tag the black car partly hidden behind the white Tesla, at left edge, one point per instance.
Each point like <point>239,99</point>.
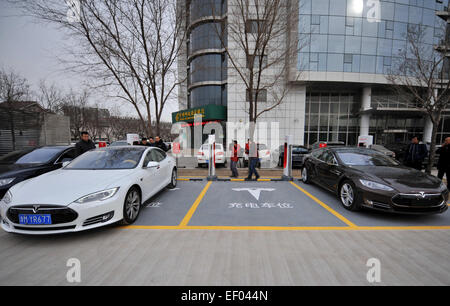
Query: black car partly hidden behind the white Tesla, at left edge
<point>18,166</point>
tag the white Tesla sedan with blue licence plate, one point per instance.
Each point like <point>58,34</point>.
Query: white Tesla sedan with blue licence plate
<point>100,187</point>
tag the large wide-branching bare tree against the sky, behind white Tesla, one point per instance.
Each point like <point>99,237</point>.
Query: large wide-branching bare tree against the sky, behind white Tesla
<point>128,47</point>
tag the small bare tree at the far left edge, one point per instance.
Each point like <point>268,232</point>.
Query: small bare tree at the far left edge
<point>13,88</point>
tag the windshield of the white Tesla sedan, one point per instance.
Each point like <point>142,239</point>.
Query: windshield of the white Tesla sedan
<point>107,159</point>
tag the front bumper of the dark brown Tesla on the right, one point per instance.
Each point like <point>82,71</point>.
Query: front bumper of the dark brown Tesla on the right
<point>385,201</point>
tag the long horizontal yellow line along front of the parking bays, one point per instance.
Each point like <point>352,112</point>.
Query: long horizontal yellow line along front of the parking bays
<point>280,228</point>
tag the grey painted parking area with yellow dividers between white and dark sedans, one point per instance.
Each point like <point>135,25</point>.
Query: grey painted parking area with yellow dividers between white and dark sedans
<point>267,206</point>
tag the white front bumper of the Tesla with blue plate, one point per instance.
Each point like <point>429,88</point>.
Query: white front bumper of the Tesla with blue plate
<point>88,216</point>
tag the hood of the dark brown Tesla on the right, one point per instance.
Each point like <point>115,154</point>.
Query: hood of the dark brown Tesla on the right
<point>402,179</point>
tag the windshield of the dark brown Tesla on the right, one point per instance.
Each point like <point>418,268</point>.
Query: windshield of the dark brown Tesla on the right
<point>366,159</point>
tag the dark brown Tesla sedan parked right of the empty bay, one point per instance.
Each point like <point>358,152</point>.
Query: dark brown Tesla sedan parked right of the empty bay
<point>367,178</point>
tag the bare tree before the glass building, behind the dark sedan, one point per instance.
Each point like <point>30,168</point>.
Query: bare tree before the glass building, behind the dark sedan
<point>419,77</point>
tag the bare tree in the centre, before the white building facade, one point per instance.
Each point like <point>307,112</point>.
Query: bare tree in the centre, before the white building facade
<point>260,47</point>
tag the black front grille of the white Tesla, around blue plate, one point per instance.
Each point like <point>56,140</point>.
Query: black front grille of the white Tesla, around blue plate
<point>60,214</point>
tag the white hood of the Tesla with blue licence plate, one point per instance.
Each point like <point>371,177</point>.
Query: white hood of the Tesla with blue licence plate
<point>63,187</point>
